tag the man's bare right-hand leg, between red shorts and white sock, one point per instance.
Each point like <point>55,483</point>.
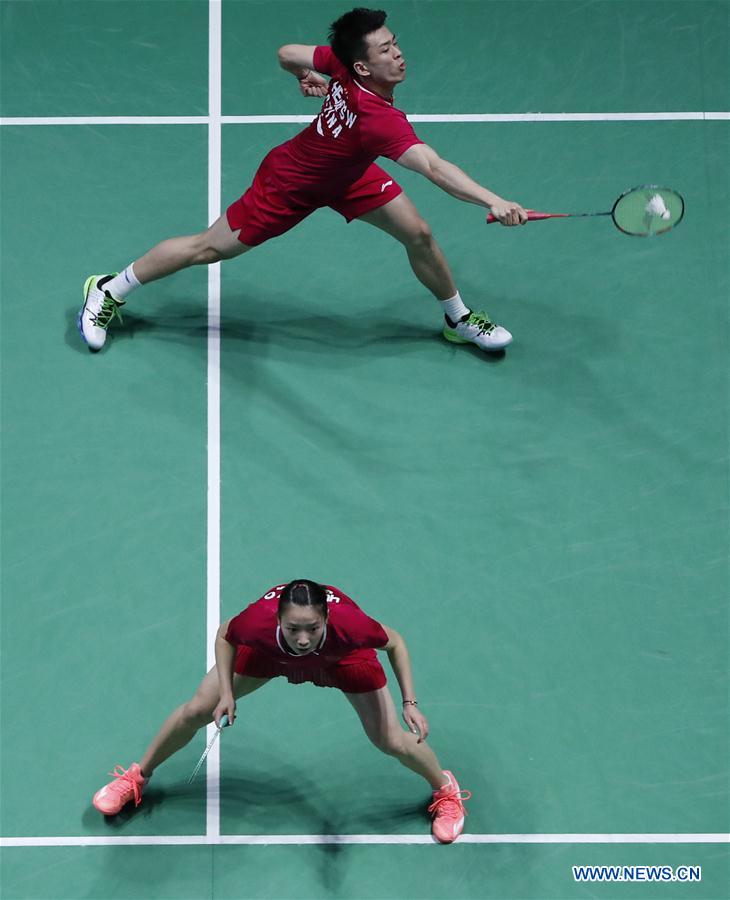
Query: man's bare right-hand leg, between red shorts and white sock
<point>401,220</point>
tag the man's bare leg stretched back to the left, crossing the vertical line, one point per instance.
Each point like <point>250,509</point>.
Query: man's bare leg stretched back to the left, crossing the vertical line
<point>216,243</point>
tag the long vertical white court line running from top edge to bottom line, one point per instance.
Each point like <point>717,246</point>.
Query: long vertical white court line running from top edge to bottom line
<point>212,787</point>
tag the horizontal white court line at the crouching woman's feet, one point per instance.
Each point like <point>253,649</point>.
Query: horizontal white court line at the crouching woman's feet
<point>309,839</point>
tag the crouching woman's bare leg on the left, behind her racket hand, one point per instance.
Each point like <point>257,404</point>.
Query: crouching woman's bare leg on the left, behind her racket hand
<point>181,726</point>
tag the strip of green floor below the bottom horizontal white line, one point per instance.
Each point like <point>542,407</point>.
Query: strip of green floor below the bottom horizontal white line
<point>467,872</point>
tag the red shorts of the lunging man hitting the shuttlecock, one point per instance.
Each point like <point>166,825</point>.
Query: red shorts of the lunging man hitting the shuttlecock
<point>262,212</point>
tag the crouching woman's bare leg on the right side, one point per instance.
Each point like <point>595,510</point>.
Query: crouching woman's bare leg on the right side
<point>380,721</point>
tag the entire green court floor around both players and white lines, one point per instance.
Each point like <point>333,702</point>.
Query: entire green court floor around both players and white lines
<point>548,529</point>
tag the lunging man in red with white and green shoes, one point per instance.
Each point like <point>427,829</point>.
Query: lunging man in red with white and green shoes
<point>330,163</point>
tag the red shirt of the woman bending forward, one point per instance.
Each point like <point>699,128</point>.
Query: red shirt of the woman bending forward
<point>347,629</point>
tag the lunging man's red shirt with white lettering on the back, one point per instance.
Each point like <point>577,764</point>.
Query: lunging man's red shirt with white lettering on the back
<point>354,127</point>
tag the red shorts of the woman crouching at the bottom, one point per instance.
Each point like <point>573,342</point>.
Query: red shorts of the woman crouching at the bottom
<point>357,673</point>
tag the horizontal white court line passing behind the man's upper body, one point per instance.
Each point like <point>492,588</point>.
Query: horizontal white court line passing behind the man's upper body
<point>418,117</point>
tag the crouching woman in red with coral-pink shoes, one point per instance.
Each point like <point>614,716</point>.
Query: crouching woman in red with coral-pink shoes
<point>306,632</point>
